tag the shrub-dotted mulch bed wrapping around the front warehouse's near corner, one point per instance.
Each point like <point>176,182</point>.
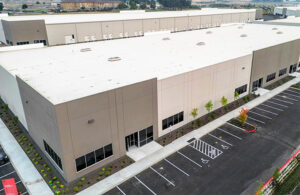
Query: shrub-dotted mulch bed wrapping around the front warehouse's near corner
<point>57,185</point>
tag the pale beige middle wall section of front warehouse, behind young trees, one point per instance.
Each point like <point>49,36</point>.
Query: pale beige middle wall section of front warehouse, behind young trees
<point>194,89</point>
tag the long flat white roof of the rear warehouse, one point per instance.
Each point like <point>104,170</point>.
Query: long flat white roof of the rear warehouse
<point>76,18</point>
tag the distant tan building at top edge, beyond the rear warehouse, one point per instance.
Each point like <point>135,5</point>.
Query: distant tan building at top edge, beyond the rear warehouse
<point>89,4</point>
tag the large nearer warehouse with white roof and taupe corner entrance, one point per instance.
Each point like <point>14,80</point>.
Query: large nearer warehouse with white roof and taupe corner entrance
<point>93,102</point>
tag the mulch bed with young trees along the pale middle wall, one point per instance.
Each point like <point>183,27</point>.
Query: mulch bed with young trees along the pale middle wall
<point>170,137</point>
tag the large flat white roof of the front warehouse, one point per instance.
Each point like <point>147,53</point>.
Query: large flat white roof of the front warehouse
<point>64,73</point>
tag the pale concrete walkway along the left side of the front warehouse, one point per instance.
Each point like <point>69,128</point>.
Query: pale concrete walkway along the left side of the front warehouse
<point>27,172</point>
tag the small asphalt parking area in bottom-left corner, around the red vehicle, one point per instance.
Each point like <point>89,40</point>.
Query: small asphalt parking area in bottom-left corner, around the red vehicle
<point>6,172</point>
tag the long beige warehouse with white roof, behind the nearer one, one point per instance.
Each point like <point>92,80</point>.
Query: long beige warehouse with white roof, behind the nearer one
<point>67,29</point>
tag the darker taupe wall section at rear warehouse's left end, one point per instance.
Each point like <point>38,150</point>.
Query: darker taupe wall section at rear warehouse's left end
<point>21,31</point>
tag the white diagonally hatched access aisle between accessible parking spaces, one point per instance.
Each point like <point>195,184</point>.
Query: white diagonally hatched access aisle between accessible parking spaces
<point>206,149</point>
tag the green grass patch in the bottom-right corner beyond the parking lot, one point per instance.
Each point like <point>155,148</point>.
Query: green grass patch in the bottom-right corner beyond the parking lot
<point>290,183</point>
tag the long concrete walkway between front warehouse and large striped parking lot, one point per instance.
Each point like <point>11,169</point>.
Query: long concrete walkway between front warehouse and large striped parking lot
<point>144,163</point>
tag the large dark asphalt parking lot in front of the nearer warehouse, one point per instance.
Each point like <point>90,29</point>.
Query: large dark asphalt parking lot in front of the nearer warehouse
<point>228,160</point>
